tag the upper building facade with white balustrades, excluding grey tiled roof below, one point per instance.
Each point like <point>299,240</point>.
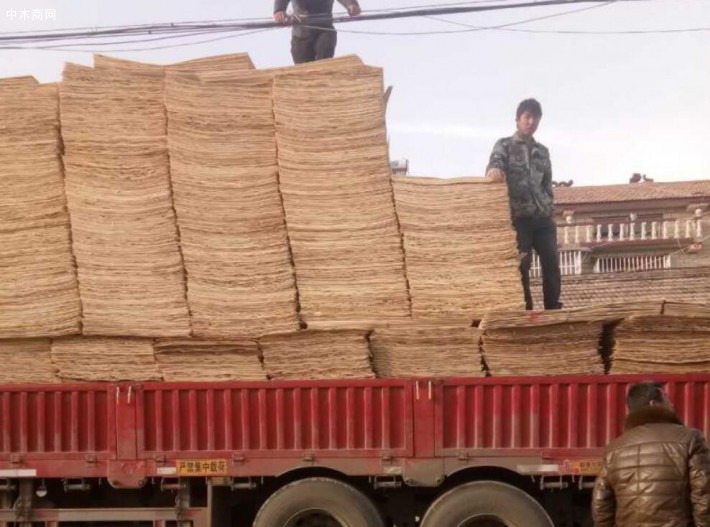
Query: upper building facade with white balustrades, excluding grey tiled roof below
<point>641,226</point>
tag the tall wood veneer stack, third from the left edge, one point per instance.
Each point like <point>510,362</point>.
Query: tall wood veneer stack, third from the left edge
<point>240,279</point>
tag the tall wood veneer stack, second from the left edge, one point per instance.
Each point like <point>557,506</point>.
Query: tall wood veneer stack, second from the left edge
<point>131,275</point>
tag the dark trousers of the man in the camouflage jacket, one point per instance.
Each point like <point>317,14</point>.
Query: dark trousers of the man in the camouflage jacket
<point>540,234</point>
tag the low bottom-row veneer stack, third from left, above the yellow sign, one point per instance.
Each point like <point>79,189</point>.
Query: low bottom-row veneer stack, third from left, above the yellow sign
<point>195,360</point>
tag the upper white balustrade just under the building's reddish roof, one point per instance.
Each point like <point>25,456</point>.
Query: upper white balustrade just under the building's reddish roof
<point>622,232</point>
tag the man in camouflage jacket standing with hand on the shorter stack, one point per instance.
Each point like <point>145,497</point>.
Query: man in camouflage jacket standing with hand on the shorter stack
<point>525,166</point>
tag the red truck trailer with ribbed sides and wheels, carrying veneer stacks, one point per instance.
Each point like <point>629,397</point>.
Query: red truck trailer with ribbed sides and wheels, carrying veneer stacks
<point>431,452</point>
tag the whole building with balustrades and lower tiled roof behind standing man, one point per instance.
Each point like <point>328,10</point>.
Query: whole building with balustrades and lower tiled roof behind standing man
<point>638,241</point>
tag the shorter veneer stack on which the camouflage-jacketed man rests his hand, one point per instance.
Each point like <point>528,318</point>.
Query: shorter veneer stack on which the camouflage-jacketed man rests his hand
<point>459,245</point>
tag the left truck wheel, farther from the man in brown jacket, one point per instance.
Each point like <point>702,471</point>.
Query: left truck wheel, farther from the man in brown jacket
<point>318,502</point>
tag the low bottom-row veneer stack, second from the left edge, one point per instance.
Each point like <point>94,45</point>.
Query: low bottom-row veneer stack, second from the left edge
<point>104,359</point>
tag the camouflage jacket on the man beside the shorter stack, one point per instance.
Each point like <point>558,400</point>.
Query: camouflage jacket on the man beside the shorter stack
<point>528,173</point>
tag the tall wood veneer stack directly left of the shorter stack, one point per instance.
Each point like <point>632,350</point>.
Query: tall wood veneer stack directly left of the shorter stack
<point>337,194</point>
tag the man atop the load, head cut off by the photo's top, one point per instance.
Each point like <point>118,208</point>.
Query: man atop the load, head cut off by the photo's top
<point>314,37</point>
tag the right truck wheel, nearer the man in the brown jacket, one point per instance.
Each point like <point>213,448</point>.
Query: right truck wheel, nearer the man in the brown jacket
<point>486,504</point>
